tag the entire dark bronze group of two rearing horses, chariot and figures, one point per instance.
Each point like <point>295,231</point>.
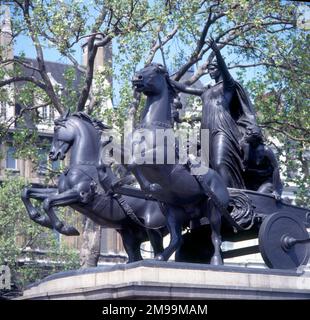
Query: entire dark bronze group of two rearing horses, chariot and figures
<point>170,196</point>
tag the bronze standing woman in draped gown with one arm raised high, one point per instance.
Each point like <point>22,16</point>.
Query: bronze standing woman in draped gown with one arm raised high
<point>227,111</point>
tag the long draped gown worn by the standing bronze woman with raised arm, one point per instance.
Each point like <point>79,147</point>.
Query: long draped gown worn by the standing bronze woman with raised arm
<point>219,116</point>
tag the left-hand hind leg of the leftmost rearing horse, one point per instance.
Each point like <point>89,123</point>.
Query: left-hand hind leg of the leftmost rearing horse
<point>131,244</point>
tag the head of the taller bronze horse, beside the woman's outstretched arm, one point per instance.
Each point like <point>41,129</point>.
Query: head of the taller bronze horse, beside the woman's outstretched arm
<point>151,79</point>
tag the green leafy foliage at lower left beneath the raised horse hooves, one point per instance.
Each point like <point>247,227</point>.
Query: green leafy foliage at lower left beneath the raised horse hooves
<point>22,240</point>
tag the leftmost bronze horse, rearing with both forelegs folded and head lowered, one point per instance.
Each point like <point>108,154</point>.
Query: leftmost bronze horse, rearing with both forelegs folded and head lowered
<point>83,186</point>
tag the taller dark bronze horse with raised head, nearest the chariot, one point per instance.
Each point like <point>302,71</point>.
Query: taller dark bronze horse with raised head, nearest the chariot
<point>173,184</point>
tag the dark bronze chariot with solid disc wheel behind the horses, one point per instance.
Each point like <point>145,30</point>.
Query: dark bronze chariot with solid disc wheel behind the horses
<point>281,229</point>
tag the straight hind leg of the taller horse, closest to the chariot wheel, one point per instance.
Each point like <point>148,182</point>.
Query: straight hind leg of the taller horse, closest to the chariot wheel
<point>214,217</point>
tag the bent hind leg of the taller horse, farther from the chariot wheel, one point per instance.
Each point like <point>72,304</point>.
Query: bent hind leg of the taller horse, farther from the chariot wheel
<point>174,218</point>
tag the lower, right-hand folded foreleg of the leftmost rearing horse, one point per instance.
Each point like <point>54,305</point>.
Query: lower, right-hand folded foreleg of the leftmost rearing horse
<point>62,199</point>
